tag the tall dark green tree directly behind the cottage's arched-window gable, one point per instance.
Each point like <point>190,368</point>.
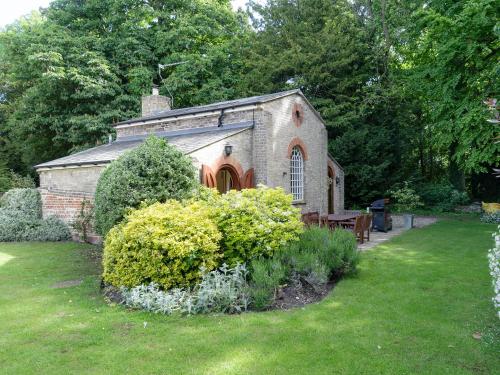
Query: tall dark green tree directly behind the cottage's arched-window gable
<point>331,51</point>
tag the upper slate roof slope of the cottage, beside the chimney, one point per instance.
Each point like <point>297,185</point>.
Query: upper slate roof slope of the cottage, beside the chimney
<point>213,107</point>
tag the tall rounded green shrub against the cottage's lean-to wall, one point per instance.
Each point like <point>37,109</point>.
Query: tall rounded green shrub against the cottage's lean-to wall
<point>153,172</point>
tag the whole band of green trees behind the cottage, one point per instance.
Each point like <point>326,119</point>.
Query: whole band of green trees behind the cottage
<point>400,84</point>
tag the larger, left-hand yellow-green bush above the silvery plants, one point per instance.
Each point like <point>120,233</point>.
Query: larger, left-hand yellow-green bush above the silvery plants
<point>166,243</point>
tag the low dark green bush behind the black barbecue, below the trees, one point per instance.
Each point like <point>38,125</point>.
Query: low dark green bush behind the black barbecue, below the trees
<point>441,196</point>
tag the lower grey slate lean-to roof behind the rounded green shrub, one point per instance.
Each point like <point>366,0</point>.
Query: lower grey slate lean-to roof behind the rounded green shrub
<point>187,141</point>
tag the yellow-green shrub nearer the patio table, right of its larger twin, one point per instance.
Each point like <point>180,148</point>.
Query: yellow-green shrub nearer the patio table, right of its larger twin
<point>254,222</point>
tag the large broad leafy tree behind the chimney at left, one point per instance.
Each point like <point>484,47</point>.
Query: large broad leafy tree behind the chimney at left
<point>73,71</point>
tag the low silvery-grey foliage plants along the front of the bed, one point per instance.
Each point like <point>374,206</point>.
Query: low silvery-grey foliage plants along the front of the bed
<point>224,290</point>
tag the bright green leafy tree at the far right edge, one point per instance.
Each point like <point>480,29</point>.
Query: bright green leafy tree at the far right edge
<point>454,67</point>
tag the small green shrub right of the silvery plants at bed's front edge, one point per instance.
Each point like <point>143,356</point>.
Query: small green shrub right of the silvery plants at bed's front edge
<point>266,277</point>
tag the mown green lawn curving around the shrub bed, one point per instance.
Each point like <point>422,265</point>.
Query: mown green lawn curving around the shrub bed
<point>411,310</point>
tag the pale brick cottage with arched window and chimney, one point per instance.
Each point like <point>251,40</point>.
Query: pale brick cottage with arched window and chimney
<point>276,140</point>
